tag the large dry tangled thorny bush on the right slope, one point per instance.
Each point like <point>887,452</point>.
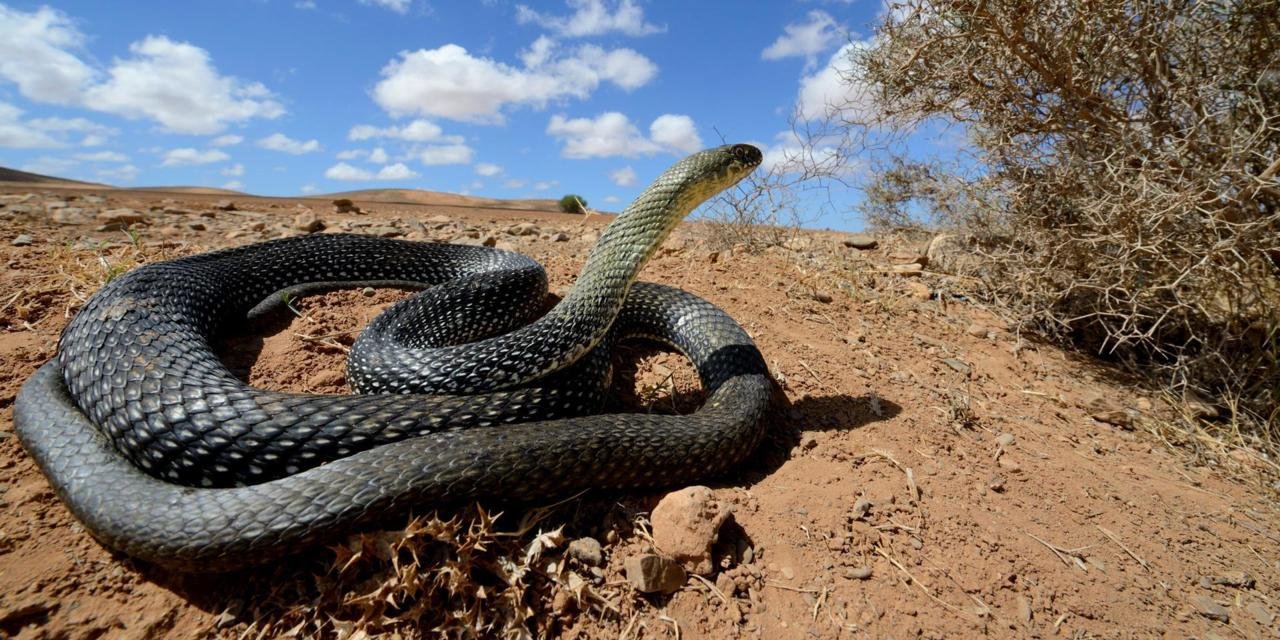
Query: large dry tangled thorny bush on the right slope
<point>1123,180</point>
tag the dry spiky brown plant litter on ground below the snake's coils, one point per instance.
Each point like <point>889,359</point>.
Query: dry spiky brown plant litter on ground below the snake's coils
<point>464,577</point>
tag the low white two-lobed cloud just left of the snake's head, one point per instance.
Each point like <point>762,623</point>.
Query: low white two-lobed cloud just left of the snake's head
<point>612,135</point>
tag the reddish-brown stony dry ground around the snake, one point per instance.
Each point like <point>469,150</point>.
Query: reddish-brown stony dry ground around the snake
<point>938,476</point>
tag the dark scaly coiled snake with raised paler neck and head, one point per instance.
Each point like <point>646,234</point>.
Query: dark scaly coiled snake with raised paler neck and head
<point>463,391</point>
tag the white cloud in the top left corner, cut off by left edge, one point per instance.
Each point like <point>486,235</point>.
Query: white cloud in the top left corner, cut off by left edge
<point>34,56</point>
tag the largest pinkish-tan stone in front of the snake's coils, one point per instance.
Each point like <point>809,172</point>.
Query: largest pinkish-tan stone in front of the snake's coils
<point>687,524</point>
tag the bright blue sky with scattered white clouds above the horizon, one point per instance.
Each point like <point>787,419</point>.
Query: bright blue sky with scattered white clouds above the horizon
<point>499,99</point>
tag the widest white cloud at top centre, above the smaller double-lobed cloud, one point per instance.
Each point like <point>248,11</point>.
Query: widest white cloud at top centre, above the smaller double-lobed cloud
<point>450,83</point>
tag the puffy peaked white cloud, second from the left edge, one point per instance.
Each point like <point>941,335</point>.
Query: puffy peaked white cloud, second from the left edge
<point>177,85</point>
